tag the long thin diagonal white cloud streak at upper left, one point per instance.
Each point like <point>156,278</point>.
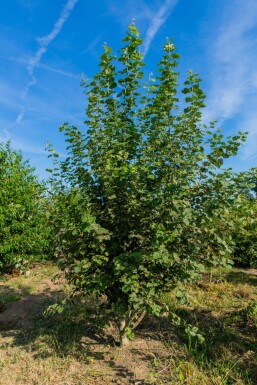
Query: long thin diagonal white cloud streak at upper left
<point>43,46</point>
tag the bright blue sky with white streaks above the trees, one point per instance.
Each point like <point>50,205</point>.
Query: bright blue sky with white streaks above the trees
<point>46,46</point>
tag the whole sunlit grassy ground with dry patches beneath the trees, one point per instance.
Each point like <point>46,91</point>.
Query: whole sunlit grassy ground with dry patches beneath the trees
<point>69,348</point>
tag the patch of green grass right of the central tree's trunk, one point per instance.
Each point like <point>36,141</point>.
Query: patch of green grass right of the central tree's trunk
<point>224,311</point>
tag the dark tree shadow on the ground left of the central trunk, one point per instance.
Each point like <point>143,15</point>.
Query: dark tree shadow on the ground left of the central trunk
<point>65,328</point>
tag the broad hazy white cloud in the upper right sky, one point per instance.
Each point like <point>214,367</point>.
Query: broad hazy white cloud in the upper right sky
<point>233,55</point>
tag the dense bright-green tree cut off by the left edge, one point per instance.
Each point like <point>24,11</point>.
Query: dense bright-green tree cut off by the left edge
<point>23,229</point>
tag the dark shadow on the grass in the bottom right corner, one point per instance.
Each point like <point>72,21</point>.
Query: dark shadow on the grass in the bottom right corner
<point>230,339</point>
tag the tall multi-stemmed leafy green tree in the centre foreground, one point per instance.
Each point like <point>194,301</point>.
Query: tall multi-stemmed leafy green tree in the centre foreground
<point>142,187</point>
